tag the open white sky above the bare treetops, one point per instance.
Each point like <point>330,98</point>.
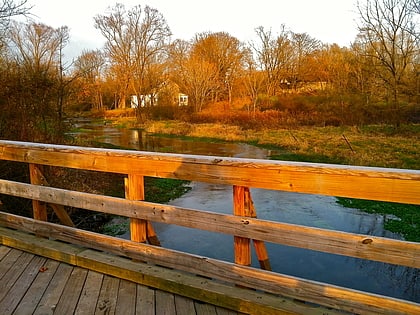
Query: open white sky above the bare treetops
<point>330,21</point>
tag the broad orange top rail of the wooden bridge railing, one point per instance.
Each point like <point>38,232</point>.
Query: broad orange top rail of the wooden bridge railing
<point>336,180</point>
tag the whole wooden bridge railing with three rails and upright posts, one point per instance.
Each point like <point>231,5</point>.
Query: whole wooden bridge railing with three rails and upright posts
<point>393,185</point>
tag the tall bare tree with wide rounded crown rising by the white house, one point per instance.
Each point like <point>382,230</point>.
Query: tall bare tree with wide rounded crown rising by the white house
<point>134,39</point>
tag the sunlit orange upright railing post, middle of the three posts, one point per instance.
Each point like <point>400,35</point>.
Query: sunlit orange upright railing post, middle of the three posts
<point>134,190</point>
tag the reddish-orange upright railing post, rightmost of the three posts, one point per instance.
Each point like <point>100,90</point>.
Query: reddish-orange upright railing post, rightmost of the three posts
<point>242,246</point>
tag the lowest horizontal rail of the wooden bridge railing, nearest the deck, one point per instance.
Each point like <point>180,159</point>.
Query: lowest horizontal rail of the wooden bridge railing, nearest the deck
<point>328,295</point>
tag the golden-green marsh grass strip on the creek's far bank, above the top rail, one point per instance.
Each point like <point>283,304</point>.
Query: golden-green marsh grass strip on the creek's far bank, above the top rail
<point>379,146</point>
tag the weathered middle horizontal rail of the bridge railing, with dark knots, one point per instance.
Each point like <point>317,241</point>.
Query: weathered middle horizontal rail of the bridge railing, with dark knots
<point>336,242</point>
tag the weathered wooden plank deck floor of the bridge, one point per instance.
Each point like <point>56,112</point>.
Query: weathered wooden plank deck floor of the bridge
<point>31,284</point>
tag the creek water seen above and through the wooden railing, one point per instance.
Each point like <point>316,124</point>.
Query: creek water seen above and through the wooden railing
<point>303,209</point>
